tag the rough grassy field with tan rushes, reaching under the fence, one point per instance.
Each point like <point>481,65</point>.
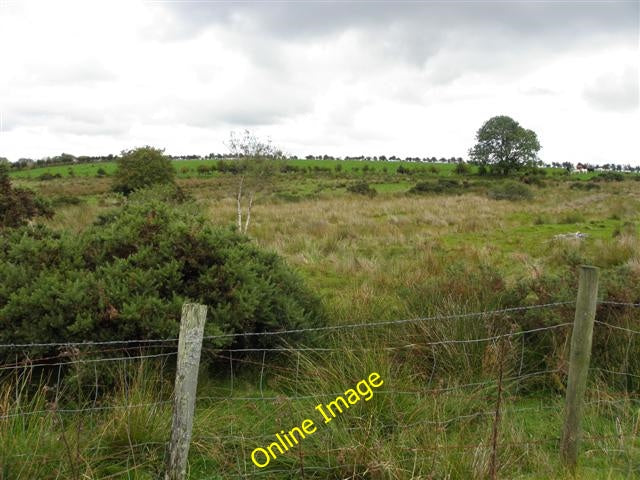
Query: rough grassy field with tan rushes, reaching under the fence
<point>374,259</point>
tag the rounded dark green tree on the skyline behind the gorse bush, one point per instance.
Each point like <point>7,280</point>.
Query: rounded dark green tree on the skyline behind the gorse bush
<point>142,167</point>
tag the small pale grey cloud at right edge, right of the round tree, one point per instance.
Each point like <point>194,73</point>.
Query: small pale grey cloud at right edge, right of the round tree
<point>616,93</point>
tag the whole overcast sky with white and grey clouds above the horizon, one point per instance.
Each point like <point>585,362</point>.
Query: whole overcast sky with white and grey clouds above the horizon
<point>406,78</point>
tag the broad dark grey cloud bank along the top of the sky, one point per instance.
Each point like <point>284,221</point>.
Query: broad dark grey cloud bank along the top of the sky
<point>495,35</point>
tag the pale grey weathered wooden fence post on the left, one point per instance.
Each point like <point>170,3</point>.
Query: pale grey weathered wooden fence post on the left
<point>189,347</point>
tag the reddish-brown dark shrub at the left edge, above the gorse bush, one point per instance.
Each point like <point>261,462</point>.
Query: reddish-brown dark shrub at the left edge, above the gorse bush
<point>18,205</point>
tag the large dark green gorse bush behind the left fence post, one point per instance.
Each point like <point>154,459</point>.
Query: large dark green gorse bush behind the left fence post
<point>127,276</point>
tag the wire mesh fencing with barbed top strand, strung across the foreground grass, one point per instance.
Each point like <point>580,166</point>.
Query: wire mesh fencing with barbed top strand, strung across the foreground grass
<point>462,393</point>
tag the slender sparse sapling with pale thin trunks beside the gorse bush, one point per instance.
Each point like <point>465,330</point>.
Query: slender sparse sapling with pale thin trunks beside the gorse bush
<point>259,161</point>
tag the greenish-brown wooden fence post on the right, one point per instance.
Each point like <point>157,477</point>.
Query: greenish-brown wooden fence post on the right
<point>579,363</point>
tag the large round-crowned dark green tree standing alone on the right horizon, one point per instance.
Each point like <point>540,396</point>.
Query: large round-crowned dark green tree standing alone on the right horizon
<point>504,145</point>
